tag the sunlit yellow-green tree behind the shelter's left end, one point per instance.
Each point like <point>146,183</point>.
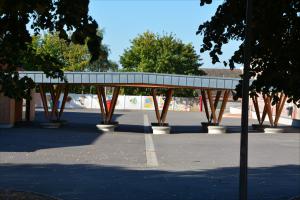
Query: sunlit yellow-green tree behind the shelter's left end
<point>73,57</point>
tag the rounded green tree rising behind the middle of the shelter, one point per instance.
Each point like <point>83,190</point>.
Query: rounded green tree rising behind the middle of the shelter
<point>151,52</point>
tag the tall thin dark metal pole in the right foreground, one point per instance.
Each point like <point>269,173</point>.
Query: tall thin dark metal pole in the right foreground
<point>243,192</point>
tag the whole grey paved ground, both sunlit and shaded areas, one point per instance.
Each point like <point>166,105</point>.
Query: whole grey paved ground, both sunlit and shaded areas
<point>78,162</point>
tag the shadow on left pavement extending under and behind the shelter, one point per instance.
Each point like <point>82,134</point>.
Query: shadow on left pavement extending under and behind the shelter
<point>80,129</point>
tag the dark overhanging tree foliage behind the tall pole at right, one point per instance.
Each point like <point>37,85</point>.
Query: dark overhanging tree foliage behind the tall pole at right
<point>275,61</point>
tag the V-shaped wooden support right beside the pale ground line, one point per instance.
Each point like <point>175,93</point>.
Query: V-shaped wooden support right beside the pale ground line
<point>161,118</point>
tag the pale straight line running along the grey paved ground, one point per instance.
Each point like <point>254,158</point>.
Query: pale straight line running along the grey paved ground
<point>149,145</point>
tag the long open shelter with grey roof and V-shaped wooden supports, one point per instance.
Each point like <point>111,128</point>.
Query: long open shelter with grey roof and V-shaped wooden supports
<point>207,85</point>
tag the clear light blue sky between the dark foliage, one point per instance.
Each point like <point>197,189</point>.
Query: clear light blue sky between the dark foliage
<point>123,20</point>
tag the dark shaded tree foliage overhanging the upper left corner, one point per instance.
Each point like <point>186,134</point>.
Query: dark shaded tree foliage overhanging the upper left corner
<point>57,15</point>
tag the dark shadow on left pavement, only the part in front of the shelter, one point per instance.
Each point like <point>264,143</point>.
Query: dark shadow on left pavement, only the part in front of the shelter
<point>33,139</point>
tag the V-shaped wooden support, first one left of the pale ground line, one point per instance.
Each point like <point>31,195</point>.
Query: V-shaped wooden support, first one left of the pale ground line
<point>106,112</point>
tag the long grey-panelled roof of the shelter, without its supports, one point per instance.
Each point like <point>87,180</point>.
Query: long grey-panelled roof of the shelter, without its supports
<point>134,79</point>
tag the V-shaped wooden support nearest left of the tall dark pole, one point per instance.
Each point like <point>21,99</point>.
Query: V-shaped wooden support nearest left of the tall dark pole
<point>211,114</point>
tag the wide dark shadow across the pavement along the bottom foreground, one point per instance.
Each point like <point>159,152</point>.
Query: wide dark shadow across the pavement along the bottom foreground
<point>107,182</point>
